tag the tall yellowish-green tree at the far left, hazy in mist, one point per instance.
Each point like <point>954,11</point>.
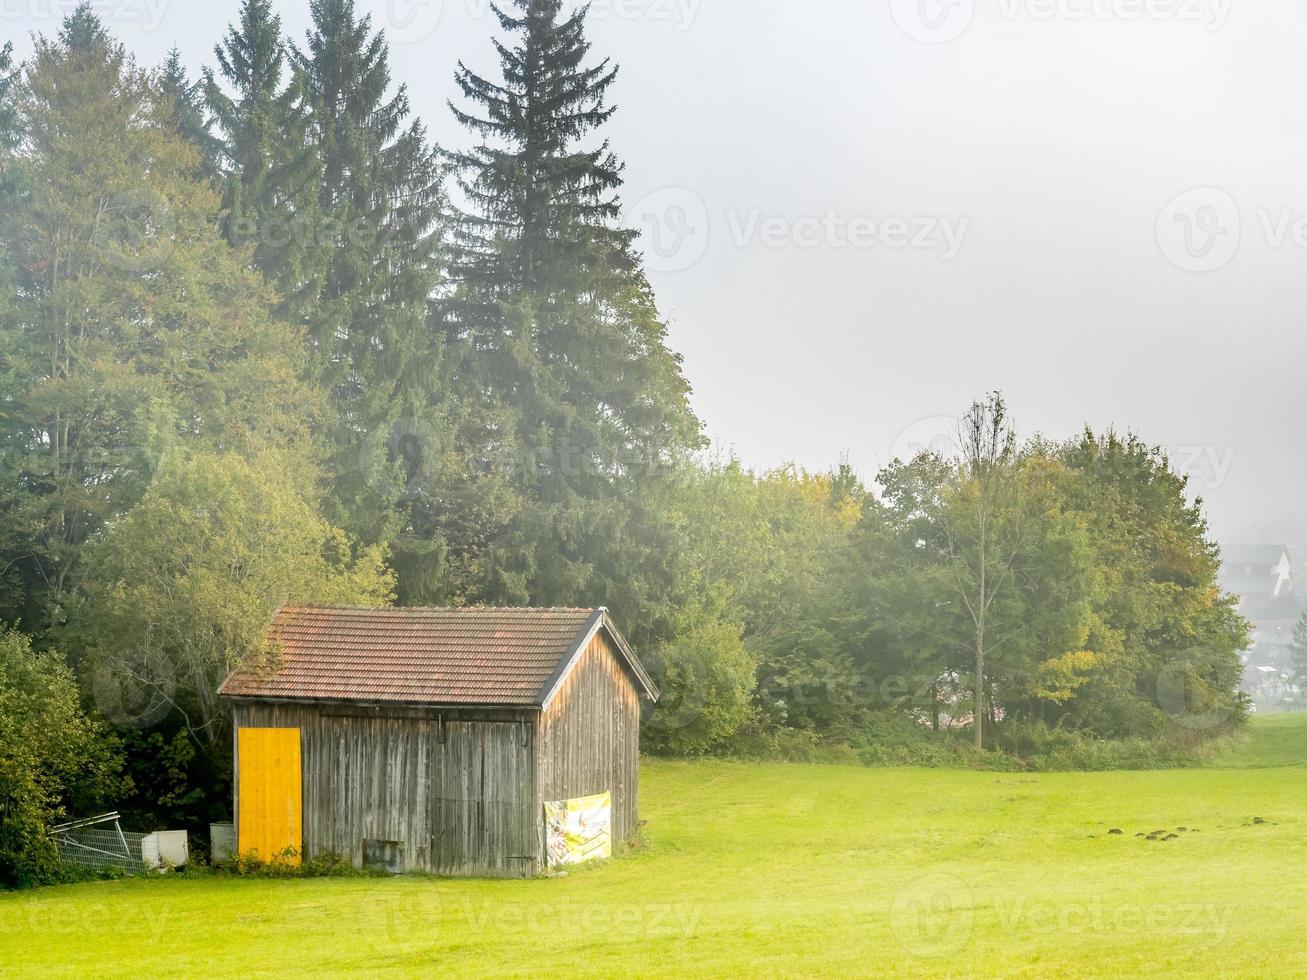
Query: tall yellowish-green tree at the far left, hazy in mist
<point>134,325</point>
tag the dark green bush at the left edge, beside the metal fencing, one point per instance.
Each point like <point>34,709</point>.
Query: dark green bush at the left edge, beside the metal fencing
<point>53,759</point>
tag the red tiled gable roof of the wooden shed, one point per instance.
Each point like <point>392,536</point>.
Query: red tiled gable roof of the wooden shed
<point>423,657</point>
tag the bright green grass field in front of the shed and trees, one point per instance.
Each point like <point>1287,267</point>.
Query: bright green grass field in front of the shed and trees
<point>782,871</point>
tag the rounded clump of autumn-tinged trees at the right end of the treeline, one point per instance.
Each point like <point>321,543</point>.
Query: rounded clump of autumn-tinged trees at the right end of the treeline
<point>1089,586</point>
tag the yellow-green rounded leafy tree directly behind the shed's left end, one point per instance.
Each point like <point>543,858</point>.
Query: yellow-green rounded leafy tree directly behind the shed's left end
<point>184,589</point>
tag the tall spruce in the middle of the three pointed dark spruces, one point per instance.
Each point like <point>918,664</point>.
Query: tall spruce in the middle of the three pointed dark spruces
<point>381,194</point>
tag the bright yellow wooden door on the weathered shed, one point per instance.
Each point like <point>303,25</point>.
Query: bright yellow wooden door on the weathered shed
<point>270,823</point>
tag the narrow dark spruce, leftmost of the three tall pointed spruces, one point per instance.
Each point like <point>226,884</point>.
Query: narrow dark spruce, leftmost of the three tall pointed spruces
<point>271,174</point>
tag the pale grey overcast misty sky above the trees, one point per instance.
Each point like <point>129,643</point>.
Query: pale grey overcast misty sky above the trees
<point>861,216</point>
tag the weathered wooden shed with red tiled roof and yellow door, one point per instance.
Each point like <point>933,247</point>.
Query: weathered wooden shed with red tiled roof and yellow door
<point>450,742</point>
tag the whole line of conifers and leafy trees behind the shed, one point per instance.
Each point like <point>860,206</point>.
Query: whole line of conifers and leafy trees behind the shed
<point>265,340</point>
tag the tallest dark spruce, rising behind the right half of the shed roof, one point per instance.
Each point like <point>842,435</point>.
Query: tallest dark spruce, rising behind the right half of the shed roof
<point>555,326</point>
